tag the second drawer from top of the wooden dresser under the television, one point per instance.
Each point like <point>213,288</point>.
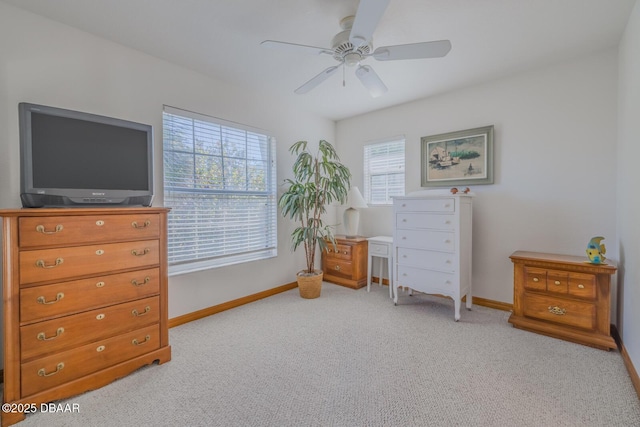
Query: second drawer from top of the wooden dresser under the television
<point>62,263</point>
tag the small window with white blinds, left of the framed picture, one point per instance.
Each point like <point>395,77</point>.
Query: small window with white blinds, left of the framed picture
<point>384,171</point>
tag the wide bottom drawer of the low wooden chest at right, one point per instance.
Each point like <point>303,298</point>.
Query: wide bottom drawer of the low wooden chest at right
<point>559,310</point>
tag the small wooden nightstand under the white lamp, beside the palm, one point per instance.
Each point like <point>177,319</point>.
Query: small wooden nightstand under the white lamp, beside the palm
<point>347,264</point>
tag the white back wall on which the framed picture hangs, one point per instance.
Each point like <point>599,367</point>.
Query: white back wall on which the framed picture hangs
<point>554,164</point>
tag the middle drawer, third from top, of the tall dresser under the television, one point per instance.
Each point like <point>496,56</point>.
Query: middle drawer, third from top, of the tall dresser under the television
<point>48,301</point>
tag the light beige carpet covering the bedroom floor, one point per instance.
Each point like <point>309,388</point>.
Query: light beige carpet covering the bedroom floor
<point>352,358</point>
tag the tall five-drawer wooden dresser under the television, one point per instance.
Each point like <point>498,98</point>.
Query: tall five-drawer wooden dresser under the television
<point>85,299</point>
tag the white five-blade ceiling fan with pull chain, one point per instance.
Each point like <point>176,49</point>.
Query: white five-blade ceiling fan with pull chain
<point>354,44</point>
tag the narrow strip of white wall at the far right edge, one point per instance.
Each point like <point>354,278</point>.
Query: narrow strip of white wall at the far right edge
<point>627,178</point>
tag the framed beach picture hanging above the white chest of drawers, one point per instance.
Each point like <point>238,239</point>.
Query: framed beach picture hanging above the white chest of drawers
<point>458,158</point>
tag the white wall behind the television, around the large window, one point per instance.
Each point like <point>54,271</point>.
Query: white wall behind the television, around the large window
<point>48,63</point>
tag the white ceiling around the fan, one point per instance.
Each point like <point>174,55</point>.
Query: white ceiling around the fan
<point>221,38</point>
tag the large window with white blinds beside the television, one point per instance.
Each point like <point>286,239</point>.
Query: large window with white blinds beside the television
<point>219,181</point>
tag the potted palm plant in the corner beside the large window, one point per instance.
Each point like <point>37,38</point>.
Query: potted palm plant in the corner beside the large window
<point>318,180</point>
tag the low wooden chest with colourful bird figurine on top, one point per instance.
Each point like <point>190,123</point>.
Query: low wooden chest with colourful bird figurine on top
<point>562,296</point>
